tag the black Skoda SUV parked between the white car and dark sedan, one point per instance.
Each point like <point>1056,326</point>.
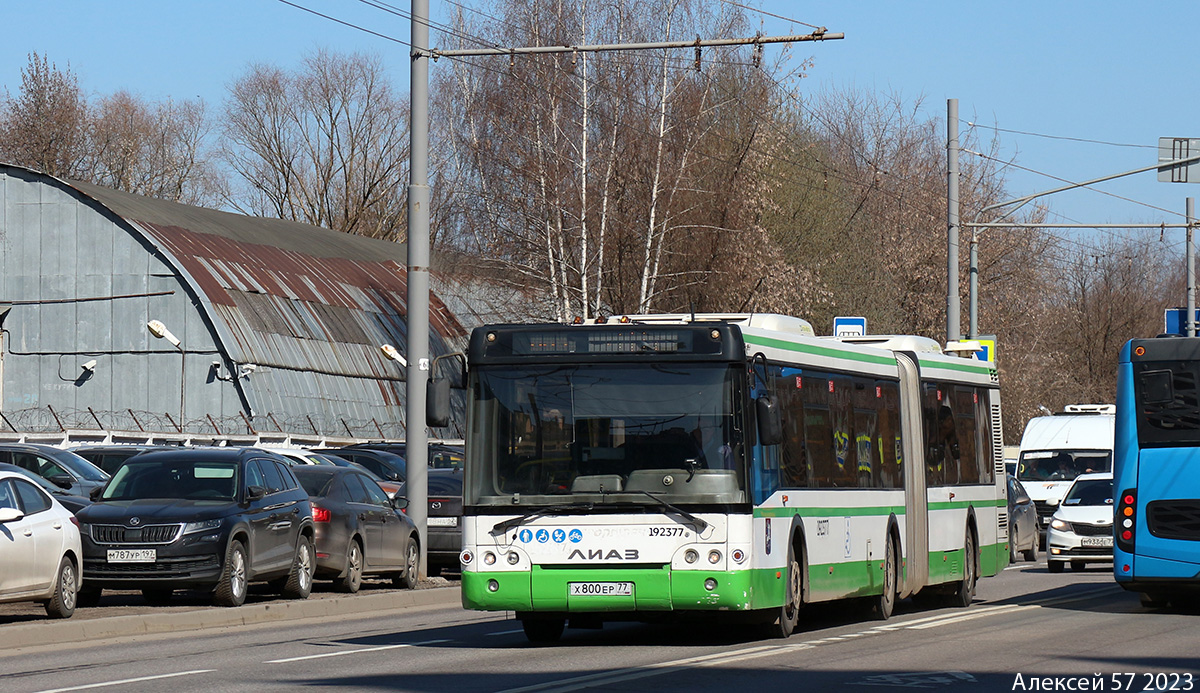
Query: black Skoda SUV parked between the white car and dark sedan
<point>200,519</point>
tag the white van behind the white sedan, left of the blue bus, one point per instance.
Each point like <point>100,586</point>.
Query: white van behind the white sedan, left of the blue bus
<point>1058,449</point>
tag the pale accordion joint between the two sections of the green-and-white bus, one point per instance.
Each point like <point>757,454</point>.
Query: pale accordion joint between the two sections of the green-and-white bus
<point>914,469</point>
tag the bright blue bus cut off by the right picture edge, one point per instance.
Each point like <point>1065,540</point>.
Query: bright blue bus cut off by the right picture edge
<point>1156,469</point>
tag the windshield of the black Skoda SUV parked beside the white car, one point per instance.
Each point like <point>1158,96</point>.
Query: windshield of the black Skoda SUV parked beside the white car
<point>172,479</point>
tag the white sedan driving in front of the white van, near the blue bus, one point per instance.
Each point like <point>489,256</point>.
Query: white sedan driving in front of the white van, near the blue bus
<point>1082,529</point>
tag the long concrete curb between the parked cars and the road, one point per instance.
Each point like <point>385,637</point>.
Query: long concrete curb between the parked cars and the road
<point>31,635</point>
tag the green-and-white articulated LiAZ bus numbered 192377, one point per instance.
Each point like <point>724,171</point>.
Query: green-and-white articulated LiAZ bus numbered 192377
<point>639,467</point>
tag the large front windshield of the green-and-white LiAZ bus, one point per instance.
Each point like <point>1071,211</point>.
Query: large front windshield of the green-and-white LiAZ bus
<point>607,435</point>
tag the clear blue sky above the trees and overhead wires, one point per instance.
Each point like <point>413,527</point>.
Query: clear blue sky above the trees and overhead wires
<point>1114,73</point>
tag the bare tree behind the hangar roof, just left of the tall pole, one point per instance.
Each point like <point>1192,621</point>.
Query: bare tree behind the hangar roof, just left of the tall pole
<point>328,147</point>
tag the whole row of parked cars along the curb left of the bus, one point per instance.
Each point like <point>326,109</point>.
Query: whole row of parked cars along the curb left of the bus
<point>208,519</point>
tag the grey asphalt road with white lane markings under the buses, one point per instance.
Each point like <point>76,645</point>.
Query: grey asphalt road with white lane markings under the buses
<point>1027,622</point>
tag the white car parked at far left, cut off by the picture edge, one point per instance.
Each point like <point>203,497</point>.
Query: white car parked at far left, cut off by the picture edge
<point>40,552</point>
